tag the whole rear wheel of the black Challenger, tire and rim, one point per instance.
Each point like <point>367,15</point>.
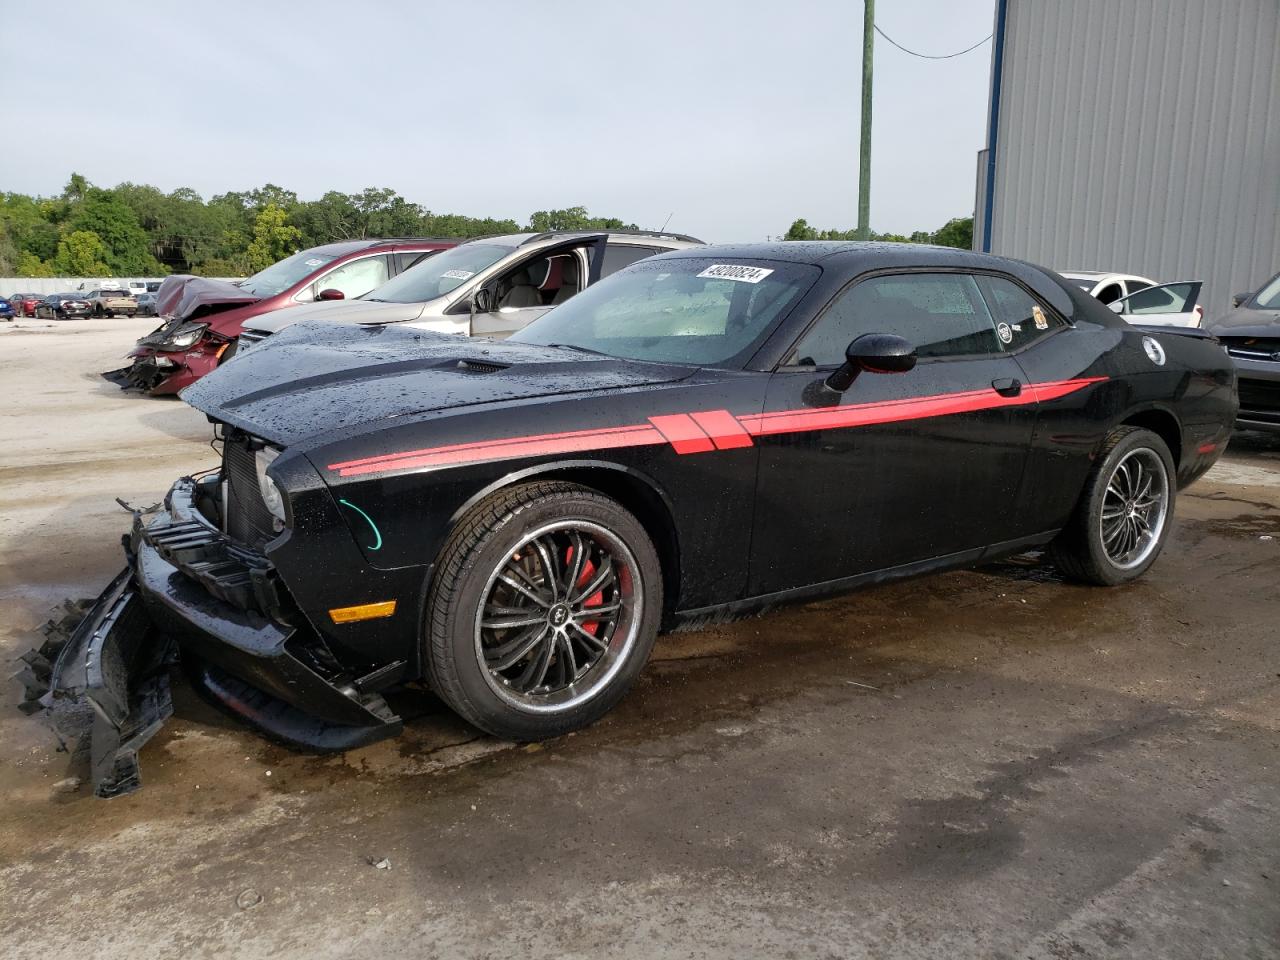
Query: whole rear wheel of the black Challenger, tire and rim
<point>1124,515</point>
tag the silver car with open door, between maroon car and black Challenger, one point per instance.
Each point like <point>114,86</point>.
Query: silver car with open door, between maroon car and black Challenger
<point>487,287</point>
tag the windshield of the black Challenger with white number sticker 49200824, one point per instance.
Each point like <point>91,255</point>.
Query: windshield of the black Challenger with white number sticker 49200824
<point>698,312</point>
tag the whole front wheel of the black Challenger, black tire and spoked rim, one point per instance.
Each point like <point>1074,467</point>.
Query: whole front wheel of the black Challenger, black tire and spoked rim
<point>470,561</point>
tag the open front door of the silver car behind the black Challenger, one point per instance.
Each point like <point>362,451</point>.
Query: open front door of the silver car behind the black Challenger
<point>532,286</point>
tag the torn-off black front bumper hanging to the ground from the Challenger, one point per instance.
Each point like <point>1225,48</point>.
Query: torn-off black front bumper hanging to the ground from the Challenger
<point>191,591</point>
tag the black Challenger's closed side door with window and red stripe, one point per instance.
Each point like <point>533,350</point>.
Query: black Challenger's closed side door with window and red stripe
<point>900,468</point>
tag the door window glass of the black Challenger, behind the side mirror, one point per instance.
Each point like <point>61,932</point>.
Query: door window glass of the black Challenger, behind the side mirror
<point>941,316</point>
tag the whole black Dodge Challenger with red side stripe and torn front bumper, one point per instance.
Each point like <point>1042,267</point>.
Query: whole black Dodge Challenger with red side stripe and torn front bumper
<point>702,436</point>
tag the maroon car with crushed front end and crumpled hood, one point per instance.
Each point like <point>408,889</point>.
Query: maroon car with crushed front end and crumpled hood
<point>203,318</point>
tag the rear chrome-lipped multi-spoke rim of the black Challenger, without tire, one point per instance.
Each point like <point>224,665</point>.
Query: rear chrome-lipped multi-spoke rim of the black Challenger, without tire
<point>1135,509</point>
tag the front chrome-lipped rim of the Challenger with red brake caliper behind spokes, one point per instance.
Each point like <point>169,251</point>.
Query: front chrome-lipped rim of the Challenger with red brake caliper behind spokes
<point>559,616</point>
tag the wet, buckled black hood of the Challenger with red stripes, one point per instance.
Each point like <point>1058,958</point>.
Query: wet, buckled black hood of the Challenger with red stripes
<point>317,378</point>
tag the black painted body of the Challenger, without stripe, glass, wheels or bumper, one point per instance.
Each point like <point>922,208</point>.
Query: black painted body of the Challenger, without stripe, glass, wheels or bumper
<point>350,395</point>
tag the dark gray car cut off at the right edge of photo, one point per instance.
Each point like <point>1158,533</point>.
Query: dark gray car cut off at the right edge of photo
<point>1251,333</point>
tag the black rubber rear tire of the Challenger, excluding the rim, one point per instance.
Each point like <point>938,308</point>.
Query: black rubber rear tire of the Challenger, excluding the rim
<point>1080,551</point>
